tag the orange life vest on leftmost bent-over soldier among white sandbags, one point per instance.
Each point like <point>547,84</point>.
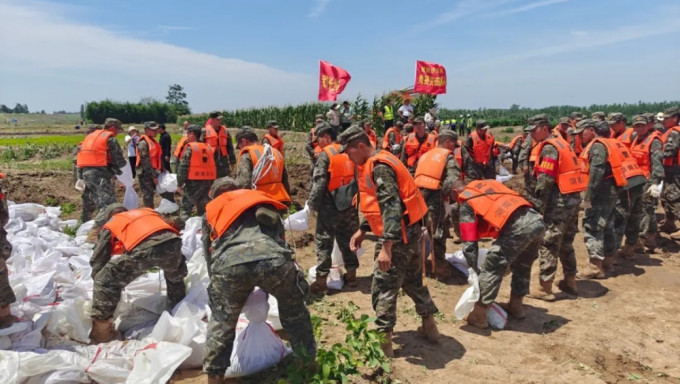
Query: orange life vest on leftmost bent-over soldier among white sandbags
<point>130,228</point>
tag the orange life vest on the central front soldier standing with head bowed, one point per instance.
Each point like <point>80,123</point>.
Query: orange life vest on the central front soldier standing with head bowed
<point>409,194</point>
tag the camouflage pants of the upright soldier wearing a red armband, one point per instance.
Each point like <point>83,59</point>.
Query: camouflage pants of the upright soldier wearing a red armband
<point>558,242</point>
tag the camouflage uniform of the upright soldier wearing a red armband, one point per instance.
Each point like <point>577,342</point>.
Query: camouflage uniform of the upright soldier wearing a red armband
<point>560,214</point>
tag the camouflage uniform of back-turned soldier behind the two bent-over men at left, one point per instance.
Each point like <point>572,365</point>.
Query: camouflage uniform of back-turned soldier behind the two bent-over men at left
<point>194,192</point>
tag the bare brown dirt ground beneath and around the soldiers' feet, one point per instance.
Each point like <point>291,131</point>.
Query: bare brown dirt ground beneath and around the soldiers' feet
<point>619,330</point>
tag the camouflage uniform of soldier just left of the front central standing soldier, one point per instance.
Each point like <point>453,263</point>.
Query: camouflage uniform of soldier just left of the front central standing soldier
<point>331,223</point>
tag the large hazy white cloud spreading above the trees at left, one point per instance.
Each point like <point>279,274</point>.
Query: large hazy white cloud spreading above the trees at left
<point>51,63</point>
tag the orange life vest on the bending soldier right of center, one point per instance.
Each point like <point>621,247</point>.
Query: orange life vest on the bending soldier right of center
<point>494,203</point>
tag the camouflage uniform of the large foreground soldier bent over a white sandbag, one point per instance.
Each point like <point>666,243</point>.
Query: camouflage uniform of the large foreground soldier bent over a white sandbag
<point>251,254</point>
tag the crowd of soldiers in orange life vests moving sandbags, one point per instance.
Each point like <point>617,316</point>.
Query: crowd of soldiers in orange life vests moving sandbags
<point>416,182</point>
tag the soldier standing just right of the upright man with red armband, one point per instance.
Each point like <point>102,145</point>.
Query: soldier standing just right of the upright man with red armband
<point>601,162</point>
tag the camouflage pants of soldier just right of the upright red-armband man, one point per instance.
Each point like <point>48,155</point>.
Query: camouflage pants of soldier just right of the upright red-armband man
<point>598,226</point>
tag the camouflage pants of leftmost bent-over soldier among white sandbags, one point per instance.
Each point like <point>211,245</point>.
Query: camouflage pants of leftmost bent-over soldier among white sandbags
<point>121,271</point>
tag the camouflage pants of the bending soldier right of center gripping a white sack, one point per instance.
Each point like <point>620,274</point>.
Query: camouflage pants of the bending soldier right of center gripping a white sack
<point>516,247</point>
